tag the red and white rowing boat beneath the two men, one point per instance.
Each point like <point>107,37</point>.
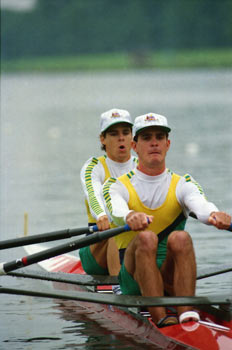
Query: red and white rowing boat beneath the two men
<point>214,331</point>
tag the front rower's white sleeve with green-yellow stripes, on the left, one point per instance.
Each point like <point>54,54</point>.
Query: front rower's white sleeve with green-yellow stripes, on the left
<point>116,199</point>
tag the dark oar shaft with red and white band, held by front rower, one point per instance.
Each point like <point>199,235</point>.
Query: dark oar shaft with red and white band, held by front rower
<point>61,249</point>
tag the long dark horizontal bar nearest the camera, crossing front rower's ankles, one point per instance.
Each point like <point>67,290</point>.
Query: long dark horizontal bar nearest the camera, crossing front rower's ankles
<point>123,300</point>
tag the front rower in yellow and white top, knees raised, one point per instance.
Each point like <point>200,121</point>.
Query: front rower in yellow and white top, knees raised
<point>158,256</point>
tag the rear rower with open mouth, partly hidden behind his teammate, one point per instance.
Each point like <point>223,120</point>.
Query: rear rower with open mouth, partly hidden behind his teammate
<point>116,138</point>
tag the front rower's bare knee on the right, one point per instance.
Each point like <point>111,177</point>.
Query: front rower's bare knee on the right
<point>180,241</point>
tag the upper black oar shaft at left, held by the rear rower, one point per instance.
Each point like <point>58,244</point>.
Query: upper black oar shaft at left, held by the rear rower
<point>47,237</point>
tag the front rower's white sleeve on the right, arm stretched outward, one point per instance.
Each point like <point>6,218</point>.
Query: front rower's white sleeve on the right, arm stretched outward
<point>192,199</point>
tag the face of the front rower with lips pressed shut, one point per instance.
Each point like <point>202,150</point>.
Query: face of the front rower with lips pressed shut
<point>152,146</point>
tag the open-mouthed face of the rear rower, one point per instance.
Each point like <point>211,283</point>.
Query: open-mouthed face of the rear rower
<point>117,141</point>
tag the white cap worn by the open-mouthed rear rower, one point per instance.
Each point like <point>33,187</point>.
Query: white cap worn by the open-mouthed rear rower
<point>114,116</point>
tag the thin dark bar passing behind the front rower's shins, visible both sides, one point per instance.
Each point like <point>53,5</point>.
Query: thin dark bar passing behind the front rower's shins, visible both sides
<point>95,280</point>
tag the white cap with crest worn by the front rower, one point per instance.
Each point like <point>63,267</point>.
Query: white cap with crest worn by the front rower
<point>150,119</point>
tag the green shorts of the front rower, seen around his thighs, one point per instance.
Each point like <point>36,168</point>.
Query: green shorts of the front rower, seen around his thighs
<point>127,283</point>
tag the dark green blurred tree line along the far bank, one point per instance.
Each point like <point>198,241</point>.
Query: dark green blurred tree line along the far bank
<point>72,27</point>
